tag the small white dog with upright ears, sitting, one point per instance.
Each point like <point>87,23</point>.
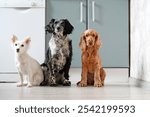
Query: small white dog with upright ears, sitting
<point>26,65</point>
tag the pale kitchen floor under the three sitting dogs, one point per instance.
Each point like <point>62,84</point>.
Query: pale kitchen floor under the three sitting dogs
<point>117,87</point>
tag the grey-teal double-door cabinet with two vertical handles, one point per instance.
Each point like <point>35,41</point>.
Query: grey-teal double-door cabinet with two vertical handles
<point>109,17</point>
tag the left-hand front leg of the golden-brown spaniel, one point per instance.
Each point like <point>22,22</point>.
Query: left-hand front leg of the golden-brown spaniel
<point>83,82</point>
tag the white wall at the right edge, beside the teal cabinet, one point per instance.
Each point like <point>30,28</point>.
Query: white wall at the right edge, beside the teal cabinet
<point>140,39</point>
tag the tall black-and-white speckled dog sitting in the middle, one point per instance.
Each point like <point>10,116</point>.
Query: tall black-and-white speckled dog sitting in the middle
<point>59,54</point>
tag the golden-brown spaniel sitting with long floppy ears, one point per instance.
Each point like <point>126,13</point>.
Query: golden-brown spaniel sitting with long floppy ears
<point>92,71</point>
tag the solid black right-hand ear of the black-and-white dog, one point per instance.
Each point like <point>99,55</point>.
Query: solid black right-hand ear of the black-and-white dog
<point>68,27</point>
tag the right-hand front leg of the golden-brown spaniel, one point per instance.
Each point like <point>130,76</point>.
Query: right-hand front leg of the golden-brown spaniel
<point>97,80</point>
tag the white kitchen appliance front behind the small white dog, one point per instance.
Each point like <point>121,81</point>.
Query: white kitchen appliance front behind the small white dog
<point>21,18</point>
